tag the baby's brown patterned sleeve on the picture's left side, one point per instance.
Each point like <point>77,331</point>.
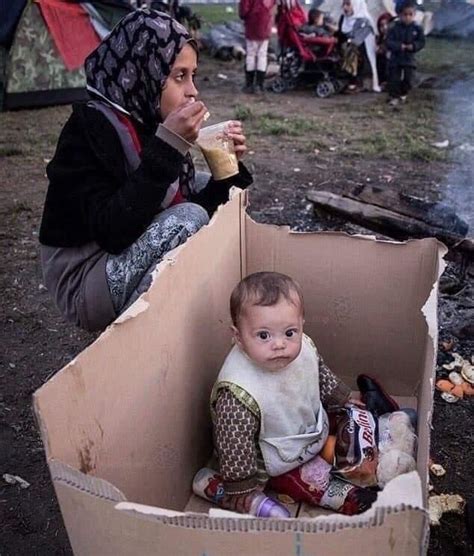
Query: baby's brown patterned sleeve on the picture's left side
<point>236,431</point>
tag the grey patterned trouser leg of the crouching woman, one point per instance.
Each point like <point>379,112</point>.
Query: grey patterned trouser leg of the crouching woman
<point>129,273</point>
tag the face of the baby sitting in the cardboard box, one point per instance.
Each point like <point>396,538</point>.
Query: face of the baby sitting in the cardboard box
<point>271,336</point>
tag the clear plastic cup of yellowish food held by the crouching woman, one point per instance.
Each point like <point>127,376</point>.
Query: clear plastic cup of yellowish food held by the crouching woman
<point>218,150</point>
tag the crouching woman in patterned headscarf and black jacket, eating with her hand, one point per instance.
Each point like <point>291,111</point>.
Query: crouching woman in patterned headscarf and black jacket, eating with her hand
<point>122,187</point>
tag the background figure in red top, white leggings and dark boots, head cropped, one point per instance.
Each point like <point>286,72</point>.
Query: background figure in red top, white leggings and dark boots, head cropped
<point>257,16</point>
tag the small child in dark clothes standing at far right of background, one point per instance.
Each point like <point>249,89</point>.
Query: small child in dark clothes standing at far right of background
<point>404,38</point>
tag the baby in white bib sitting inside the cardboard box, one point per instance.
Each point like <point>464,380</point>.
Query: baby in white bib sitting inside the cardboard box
<point>268,404</point>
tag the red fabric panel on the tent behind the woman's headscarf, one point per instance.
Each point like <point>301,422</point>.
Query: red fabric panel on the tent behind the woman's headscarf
<point>71,29</point>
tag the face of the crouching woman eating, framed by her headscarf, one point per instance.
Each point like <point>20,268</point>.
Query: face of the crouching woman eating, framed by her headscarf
<point>179,87</point>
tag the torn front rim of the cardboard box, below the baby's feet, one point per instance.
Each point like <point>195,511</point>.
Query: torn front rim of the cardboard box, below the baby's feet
<point>401,494</point>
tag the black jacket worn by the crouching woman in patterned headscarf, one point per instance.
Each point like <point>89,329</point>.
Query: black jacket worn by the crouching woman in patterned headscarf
<point>91,195</point>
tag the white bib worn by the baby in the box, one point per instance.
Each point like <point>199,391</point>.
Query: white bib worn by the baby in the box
<point>294,425</point>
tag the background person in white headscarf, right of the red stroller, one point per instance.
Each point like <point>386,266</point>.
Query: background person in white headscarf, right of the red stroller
<point>357,29</point>
